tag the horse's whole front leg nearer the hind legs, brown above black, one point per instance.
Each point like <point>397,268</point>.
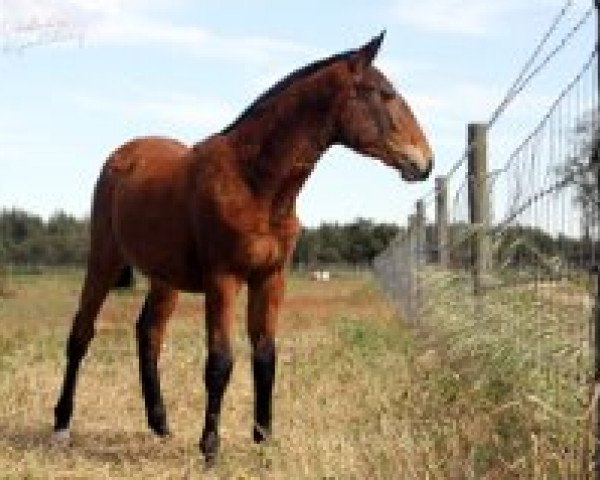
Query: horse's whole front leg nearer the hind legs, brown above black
<point>220,313</point>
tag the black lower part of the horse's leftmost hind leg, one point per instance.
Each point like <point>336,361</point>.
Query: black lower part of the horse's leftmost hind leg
<point>76,349</point>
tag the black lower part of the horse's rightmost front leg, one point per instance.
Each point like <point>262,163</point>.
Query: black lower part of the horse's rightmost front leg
<point>263,367</point>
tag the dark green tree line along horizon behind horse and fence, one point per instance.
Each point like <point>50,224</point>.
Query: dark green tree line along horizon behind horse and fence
<point>62,240</point>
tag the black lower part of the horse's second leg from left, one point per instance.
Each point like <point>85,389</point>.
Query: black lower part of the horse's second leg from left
<point>149,378</point>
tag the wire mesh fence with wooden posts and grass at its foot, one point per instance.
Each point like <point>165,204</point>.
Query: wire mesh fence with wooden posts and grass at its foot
<point>500,261</point>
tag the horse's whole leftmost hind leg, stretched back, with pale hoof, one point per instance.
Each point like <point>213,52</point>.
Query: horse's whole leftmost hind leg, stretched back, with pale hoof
<point>101,274</point>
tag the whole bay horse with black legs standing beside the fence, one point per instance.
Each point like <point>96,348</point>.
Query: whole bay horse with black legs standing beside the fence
<point>221,213</point>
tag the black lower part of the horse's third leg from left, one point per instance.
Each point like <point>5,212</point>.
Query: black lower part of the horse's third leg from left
<point>216,376</point>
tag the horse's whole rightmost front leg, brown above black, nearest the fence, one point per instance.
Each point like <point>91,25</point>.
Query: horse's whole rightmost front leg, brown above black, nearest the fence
<point>265,294</point>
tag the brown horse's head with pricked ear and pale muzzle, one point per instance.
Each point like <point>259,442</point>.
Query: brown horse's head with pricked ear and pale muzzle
<point>375,120</point>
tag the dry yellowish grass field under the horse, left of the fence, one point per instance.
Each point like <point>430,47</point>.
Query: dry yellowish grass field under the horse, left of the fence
<point>359,394</point>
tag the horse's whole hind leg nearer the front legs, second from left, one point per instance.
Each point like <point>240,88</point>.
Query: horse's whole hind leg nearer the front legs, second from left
<point>152,321</point>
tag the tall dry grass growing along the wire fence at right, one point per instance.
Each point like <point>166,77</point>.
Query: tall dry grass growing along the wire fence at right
<point>523,359</point>
